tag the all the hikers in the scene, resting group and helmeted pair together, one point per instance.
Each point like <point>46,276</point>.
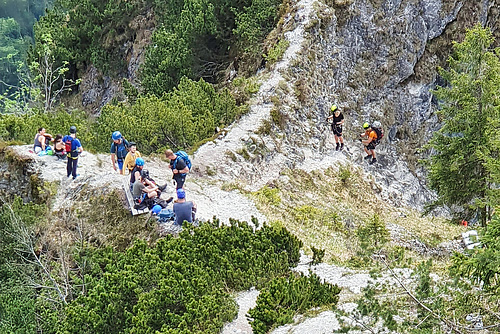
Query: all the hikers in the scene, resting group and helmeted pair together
<point>125,158</point>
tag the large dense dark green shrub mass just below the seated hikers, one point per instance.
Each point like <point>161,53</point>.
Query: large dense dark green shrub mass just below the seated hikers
<point>179,285</point>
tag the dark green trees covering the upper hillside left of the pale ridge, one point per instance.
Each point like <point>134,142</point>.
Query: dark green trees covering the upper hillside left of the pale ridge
<point>193,38</point>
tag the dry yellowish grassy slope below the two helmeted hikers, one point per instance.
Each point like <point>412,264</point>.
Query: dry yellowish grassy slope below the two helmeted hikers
<point>324,208</point>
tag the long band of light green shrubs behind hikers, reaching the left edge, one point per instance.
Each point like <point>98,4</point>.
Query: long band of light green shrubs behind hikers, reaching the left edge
<point>180,119</point>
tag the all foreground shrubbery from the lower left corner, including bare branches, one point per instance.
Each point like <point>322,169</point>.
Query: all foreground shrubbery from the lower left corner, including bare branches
<point>180,285</point>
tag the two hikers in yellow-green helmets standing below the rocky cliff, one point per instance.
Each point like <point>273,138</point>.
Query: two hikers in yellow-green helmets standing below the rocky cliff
<point>370,138</point>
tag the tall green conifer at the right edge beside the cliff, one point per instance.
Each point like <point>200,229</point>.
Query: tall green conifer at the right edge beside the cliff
<point>463,167</point>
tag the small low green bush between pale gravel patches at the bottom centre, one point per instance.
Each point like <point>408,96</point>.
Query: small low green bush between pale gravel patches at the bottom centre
<point>278,303</point>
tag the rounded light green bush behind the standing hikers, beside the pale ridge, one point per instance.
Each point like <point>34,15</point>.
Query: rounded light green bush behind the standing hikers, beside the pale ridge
<point>188,114</point>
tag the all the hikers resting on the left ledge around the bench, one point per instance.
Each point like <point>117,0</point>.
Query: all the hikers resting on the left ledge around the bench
<point>126,158</point>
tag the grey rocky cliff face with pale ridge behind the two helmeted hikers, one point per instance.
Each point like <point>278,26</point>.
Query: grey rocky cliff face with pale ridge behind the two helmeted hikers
<point>377,60</point>
